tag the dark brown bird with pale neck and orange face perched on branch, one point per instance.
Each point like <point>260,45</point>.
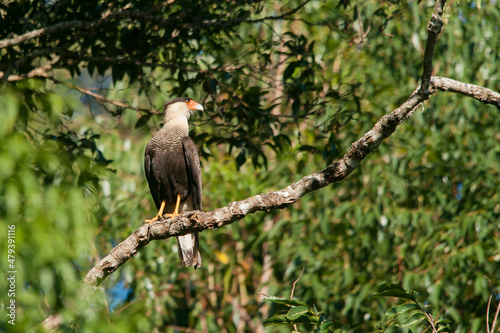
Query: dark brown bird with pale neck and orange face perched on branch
<point>173,172</point>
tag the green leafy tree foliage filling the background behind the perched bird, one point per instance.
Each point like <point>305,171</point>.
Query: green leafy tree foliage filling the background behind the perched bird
<point>287,87</point>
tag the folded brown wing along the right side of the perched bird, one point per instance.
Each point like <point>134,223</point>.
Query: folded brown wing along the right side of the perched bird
<point>193,171</point>
